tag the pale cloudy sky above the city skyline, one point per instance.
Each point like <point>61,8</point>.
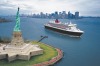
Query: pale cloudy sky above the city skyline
<point>85,7</point>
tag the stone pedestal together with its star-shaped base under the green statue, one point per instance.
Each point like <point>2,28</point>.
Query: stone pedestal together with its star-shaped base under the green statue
<point>17,49</point>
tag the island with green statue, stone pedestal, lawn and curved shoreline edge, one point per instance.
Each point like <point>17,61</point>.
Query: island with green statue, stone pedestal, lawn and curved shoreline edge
<point>18,49</point>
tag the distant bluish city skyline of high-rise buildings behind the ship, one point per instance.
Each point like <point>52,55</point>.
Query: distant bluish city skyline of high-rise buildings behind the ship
<point>55,15</point>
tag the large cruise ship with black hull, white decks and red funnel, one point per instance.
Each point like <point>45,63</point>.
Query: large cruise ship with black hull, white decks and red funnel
<point>65,28</point>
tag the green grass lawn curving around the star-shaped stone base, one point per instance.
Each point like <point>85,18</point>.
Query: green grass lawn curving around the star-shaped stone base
<point>49,52</point>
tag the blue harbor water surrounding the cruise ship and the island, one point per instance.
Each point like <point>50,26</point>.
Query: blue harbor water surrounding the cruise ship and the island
<point>84,51</point>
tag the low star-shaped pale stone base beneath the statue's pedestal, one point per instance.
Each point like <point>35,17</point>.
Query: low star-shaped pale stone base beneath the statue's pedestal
<point>23,52</point>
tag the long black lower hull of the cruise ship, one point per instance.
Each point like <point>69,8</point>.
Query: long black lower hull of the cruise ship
<point>64,32</point>
